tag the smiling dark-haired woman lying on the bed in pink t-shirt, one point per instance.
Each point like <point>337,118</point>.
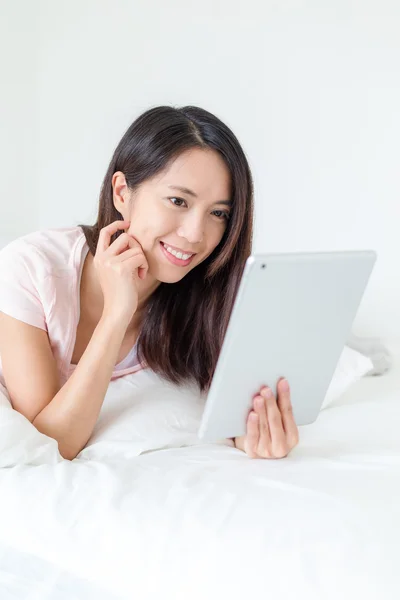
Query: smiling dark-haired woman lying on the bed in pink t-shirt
<point>151,284</point>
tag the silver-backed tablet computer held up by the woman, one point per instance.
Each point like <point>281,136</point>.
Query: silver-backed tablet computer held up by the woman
<point>292,315</point>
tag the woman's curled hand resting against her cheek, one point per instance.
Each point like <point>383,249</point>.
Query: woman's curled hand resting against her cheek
<point>119,266</point>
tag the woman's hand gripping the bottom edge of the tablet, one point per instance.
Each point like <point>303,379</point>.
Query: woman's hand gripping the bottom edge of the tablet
<point>271,428</point>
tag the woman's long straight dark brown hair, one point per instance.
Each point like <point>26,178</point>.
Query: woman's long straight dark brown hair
<point>185,322</point>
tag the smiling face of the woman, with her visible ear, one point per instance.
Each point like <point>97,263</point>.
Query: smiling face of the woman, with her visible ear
<point>178,228</point>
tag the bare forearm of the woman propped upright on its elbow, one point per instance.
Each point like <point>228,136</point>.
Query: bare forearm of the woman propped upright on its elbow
<point>71,415</point>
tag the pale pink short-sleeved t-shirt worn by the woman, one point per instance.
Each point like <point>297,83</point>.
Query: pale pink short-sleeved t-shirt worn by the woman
<point>40,276</point>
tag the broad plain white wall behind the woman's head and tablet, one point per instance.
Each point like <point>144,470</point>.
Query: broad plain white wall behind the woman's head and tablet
<point>311,88</point>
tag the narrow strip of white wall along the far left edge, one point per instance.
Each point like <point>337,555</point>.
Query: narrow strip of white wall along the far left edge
<point>18,108</point>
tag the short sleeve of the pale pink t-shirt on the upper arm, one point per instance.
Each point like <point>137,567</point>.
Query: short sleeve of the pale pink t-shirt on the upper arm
<point>21,270</point>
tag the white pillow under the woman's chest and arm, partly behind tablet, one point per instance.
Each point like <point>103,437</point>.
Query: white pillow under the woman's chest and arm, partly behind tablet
<point>141,413</point>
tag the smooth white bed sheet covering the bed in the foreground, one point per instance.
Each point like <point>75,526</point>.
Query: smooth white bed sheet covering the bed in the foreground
<point>205,521</point>
